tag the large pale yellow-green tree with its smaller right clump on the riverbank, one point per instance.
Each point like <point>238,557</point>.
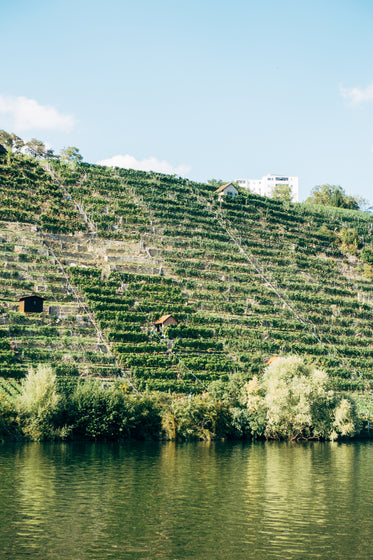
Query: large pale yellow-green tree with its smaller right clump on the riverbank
<point>294,400</point>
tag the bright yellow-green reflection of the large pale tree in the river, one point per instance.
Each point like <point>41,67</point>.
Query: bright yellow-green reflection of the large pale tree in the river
<point>287,499</point>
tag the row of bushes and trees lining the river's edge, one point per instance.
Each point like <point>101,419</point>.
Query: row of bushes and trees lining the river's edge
<point>291,401</point>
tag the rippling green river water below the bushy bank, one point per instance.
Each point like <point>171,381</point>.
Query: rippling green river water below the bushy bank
<point>189,501</point>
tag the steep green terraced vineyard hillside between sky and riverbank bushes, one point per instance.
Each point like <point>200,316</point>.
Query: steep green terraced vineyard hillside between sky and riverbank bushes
<point>111,251</point>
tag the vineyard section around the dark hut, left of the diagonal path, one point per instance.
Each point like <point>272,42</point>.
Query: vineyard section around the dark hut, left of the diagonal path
<point>64,333</point>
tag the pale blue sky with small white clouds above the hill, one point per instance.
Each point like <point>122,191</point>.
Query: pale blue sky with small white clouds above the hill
<point>205,89</point>
